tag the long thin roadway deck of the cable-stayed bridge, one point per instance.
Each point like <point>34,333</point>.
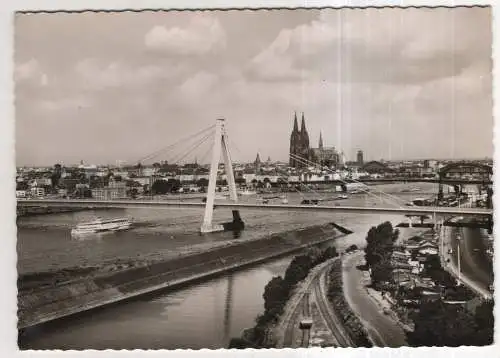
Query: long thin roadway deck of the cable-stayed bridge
<point>94,204</point>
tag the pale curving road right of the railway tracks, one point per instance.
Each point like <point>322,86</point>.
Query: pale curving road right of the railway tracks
<point>383,330</point>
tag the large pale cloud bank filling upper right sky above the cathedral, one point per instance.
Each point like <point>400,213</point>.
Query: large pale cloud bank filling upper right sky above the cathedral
<point>370,45</point>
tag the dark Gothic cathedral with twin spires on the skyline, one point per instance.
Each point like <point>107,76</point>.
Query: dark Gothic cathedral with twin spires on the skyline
<point>299,147</point>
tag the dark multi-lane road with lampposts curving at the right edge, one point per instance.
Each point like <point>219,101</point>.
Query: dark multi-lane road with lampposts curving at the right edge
<point>475,268</point>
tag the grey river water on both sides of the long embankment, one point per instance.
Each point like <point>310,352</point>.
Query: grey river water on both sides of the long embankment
<point>205,315</point>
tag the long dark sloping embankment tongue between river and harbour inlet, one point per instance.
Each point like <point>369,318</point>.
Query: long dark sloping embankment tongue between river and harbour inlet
<point>43,298</point>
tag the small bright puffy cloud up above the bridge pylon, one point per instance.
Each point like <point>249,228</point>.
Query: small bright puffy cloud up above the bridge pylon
<point>202,35</point>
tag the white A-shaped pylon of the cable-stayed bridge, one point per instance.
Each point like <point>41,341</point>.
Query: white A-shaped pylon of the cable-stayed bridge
<point>220,146</point>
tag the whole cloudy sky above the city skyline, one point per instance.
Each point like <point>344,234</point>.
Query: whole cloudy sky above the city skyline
<point>396,83</point>
